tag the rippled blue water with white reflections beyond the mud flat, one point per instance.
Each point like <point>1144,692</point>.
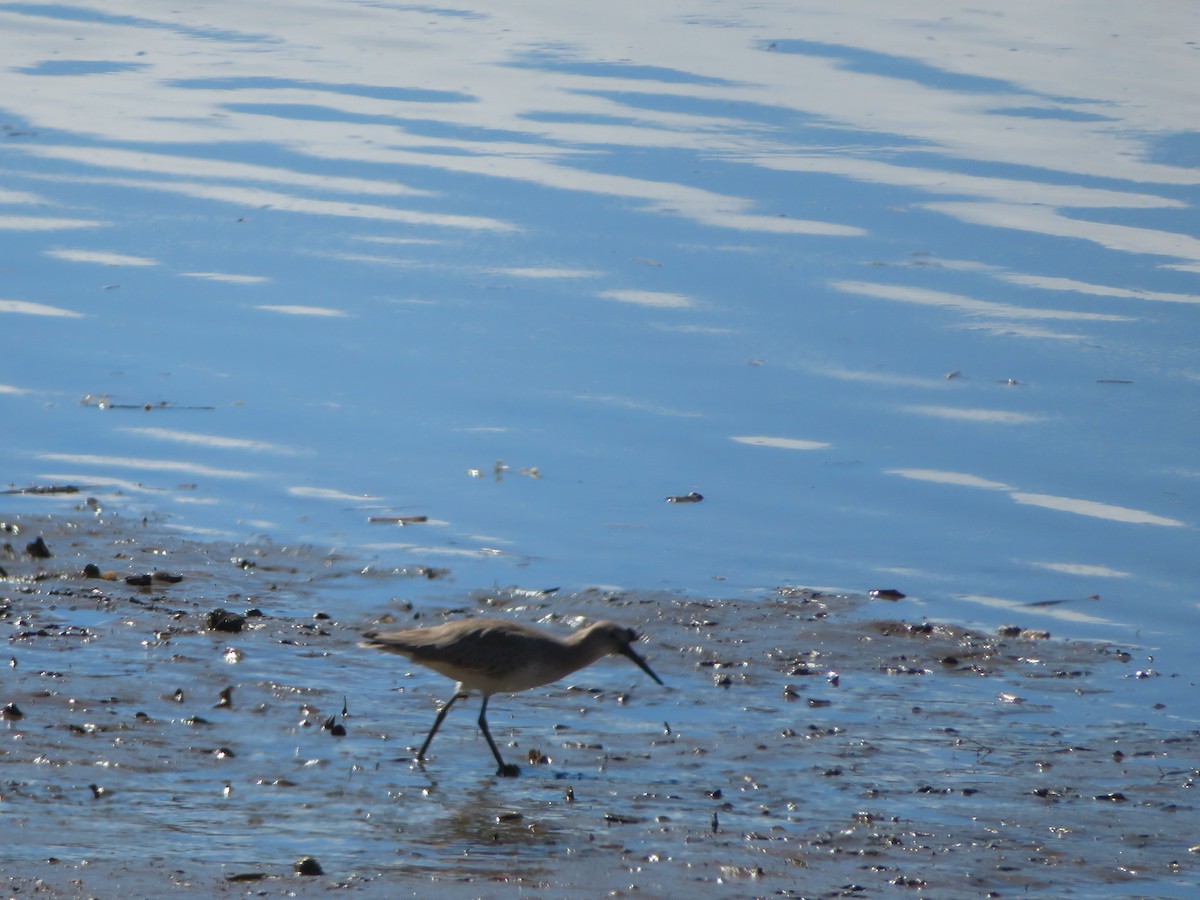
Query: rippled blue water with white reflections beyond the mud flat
<point>908,293</point>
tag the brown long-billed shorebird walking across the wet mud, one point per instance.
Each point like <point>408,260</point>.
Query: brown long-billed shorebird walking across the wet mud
<point>500,657</point>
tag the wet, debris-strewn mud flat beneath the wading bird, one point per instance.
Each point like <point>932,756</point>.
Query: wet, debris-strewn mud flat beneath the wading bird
<point>187,718</point>
